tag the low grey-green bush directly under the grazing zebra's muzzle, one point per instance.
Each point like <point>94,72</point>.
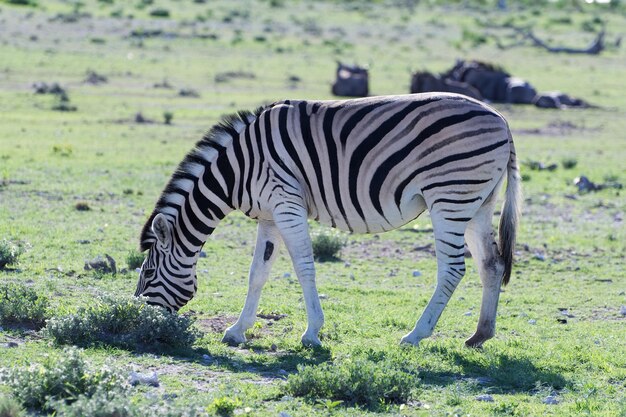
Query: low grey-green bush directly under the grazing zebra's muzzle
<point>125,322</point>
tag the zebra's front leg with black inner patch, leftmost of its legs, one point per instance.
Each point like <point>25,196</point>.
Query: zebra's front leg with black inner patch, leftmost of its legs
<point>265,252</point>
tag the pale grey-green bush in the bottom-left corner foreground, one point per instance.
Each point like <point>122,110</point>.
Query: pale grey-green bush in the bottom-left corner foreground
<point>60,378</point>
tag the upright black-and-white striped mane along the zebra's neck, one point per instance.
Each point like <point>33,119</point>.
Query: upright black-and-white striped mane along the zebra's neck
<point>204,152</point>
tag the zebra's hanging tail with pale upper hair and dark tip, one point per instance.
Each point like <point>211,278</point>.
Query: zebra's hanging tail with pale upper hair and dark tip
<point>511,210</point>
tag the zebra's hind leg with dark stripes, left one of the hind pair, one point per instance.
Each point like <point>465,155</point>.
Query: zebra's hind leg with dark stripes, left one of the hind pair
<point>449,246</point>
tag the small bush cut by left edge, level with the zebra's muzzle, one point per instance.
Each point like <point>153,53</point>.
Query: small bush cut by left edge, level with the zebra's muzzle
<point>22,305</point>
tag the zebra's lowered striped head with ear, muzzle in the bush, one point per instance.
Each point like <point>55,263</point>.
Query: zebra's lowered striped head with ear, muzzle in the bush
<point>166,279</point>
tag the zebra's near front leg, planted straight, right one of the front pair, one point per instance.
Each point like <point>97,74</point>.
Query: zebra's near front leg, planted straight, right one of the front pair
<point>291,220</point>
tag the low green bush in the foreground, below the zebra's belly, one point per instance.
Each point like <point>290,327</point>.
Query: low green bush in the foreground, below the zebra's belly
<point>355,381</point>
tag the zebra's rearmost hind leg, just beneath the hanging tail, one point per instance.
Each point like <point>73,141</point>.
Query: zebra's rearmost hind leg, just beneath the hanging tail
<point>481,243</point>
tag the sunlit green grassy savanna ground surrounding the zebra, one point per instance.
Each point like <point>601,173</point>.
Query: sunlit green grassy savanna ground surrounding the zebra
<point>560,332</point>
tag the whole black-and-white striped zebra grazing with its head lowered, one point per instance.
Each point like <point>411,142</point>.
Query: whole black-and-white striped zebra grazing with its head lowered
<point>365,166</point>
